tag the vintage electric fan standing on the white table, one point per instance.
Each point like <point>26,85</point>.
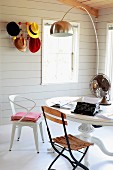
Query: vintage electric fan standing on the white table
<point>100,86</point>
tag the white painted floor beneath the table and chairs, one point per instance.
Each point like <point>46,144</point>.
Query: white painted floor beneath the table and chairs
<point>24,157</point>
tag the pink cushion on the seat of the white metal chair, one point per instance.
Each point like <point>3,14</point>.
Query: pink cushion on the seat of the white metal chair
<point>32,116</point>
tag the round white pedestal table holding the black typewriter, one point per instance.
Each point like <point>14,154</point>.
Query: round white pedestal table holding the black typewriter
<point>86,127</point>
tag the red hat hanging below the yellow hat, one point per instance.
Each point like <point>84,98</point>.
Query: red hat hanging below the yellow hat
<point>34,44</point>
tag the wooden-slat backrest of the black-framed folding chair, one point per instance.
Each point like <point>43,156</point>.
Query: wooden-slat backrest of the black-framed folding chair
<point>55,116</point>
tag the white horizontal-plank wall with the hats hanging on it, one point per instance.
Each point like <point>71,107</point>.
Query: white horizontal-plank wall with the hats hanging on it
<point>20,72</point>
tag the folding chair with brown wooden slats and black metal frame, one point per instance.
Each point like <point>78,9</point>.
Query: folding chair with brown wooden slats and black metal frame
<point>67,142</point>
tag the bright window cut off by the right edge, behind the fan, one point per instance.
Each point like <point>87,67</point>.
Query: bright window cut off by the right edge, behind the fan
<point>109,55</point>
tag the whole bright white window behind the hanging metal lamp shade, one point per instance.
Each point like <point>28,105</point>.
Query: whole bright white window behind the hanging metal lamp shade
<point>59,56</point>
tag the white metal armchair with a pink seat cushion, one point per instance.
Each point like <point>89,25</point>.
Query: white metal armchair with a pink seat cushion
<point>27,118</point>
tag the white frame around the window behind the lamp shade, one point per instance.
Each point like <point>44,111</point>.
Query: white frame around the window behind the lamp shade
<point>74,58</point>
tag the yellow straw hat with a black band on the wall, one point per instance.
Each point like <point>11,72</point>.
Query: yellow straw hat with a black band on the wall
<point>33,30</point>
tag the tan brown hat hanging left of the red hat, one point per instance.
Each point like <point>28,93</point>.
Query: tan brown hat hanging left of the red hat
<point>20,43</point>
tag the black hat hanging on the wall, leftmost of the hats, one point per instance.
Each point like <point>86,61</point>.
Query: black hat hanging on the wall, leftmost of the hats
<point>13,29</point>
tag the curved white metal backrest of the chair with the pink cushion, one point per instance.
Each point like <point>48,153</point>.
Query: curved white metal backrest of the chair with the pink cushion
<point>13,103</point>
